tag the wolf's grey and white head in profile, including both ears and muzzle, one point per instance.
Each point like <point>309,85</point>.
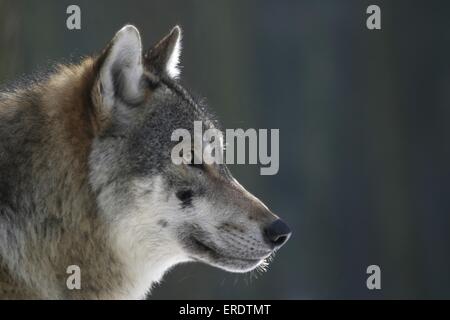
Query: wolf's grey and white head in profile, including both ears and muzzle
<point>161,213</point>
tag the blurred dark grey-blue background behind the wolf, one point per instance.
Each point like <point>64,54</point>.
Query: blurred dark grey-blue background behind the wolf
<point>364,128</point>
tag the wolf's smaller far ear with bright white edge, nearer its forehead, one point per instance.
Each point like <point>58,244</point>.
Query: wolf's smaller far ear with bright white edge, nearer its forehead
<point>164,57</point>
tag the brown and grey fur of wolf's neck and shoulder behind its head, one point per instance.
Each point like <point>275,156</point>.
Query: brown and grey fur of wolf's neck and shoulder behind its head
<point>50,208</point>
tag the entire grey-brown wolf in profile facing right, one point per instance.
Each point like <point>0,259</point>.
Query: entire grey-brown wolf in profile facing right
<point>87,180</point>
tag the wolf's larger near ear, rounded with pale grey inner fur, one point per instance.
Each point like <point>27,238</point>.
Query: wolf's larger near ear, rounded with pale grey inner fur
<point>121,70</point>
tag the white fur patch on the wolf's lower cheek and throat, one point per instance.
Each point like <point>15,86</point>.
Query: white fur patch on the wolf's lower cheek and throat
<point>138,239</point>
